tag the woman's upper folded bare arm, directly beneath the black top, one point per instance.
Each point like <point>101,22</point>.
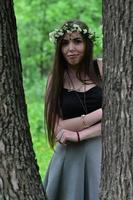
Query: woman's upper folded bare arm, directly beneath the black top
<point>80,123</point>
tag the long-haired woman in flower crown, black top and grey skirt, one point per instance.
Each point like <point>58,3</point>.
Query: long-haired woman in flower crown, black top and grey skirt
<point>73,113</point>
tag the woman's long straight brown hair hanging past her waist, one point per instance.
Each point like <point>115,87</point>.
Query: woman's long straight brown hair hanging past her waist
<point>55,85</point>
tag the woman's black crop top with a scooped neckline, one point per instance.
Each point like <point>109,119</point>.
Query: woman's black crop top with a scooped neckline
<point>71,106</point>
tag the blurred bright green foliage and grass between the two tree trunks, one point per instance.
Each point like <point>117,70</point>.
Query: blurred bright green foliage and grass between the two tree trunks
<point>35,19</point>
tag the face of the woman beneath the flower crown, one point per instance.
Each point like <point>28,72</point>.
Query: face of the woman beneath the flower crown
<point>73,48</point>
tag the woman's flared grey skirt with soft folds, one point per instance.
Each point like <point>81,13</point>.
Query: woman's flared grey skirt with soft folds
<point>74,171</point>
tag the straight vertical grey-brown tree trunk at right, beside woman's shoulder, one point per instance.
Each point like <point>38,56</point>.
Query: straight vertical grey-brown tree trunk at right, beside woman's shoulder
<point>117,155</point>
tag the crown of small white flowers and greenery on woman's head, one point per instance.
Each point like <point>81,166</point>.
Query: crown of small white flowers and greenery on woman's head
<point>54,35</point>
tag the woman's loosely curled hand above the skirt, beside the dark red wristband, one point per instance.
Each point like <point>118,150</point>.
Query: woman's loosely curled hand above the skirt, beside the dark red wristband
<point>64,136</point>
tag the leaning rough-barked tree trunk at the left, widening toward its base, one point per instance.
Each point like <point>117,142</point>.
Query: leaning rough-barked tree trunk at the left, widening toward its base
<point>19,176</point>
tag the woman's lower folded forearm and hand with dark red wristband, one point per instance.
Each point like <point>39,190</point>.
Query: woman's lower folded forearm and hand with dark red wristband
<point>65,136</point>
